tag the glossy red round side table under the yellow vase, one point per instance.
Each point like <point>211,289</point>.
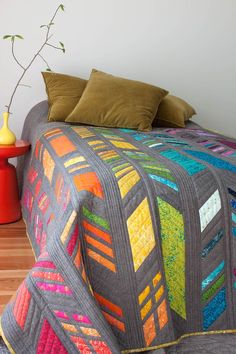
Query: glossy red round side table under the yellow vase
<point>10,209</point>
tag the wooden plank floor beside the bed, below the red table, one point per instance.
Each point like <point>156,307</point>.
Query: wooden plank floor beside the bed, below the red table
<point>16,259</point>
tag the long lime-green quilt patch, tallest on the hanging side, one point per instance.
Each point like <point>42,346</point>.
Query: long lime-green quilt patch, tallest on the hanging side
<point>173,248</point>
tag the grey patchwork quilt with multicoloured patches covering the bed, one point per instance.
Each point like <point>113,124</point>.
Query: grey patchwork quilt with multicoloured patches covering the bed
<point>135,240</point>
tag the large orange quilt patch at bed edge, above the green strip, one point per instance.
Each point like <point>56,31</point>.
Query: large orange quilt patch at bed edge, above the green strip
<point>89,182</point>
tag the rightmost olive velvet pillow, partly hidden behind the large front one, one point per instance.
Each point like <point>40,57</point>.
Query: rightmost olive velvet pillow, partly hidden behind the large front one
<point>173,112</point>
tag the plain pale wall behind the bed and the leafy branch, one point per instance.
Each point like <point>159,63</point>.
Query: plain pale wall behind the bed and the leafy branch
<point>185,46</point>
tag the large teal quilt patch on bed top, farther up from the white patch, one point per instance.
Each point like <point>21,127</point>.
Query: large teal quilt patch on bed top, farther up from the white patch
<point>190,165</point>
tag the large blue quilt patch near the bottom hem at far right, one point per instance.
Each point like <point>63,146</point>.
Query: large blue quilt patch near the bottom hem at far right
<point>214,309</point>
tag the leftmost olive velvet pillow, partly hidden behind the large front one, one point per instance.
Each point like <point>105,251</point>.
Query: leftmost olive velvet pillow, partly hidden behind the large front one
<point>63,92</point>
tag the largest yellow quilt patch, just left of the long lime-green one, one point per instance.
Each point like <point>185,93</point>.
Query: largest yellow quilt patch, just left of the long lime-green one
<point>141,233</point>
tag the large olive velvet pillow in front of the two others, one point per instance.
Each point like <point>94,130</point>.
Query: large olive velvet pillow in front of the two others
<point>111,101</point>
